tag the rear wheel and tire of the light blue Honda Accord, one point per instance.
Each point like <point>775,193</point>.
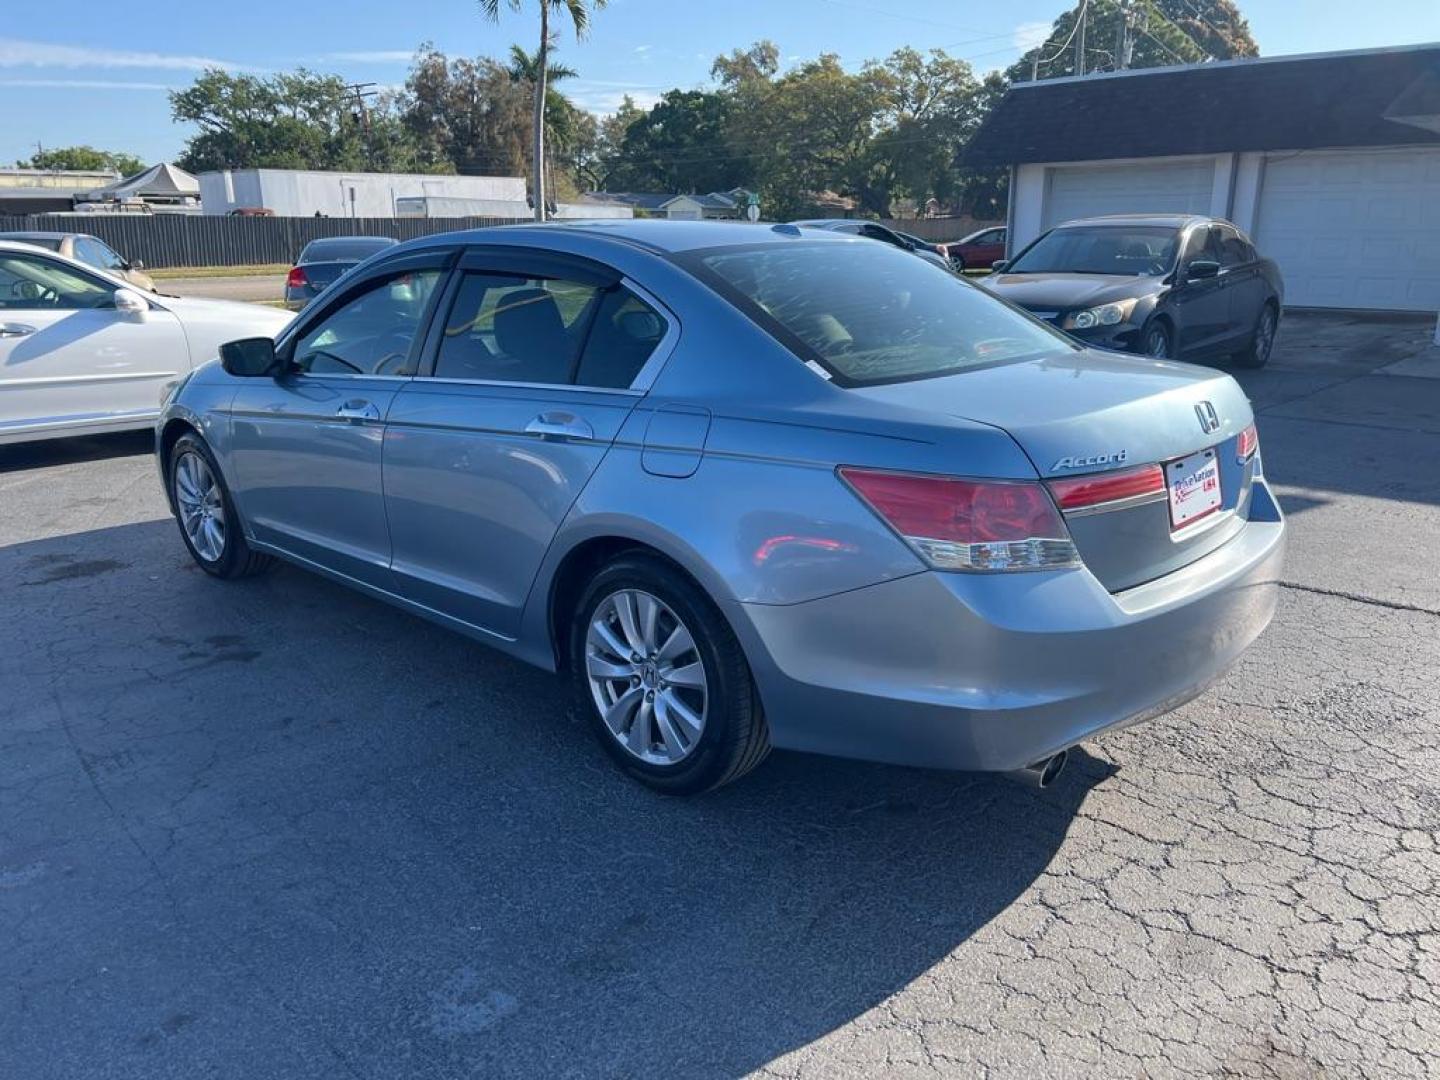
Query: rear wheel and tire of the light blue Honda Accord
<point>652,734</point>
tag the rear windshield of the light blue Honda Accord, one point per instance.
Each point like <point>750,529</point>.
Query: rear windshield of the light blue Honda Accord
<point>870,313</point>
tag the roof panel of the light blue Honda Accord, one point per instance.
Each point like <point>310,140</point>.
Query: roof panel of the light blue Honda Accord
<point>663,237</point>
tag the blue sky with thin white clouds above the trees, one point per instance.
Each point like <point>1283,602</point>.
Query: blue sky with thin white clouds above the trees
<point>83,73</point>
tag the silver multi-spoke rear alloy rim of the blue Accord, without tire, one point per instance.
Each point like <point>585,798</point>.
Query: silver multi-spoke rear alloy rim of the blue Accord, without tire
<point>646,678</point>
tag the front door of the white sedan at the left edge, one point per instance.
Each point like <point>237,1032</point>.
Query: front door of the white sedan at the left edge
<point>68,359</point>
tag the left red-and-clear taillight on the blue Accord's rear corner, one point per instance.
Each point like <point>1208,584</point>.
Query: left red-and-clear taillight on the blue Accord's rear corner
<point>970,525</point>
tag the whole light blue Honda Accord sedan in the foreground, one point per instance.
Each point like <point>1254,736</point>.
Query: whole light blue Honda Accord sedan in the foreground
<point>748,487</point>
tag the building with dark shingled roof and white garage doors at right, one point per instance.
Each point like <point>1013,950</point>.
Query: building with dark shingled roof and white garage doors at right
<point>1330,162</point>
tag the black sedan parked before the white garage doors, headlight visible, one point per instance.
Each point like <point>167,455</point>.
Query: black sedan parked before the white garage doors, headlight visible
<point>1170,286</point>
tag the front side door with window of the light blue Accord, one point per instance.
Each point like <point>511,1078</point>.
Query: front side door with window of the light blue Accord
<point>306,447</point>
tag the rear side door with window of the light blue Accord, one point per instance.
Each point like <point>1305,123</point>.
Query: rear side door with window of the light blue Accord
<point>531,374</point>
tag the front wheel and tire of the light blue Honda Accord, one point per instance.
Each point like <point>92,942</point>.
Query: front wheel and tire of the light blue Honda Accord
<point>205,513</point>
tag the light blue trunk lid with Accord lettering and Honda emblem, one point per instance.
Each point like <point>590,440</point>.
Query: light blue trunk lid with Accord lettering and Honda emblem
<point>1094,413</point>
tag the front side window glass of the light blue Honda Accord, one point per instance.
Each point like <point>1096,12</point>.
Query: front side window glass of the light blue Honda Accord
<point>372,333</point>
